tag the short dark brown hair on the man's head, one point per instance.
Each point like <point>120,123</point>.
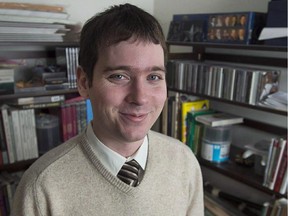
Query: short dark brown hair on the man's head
<point>116,24</point>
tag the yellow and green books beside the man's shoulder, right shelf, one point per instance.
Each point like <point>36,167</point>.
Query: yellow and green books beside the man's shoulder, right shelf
<point>183,118</point>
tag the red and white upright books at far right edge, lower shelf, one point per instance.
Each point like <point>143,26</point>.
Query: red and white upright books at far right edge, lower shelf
<point>275,177</point>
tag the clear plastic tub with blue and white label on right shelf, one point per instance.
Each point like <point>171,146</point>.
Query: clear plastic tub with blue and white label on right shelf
<point>216,143</point>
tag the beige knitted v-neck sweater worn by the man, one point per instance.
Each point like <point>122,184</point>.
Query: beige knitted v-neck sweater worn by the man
<point>70,180</point>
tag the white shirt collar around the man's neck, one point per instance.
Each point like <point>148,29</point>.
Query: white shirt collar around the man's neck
<point>111,160</point>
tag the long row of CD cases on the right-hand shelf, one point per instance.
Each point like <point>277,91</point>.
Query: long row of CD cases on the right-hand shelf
<point>240,84</point>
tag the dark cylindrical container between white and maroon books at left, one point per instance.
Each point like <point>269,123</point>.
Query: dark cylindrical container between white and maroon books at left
<point>47,127</point>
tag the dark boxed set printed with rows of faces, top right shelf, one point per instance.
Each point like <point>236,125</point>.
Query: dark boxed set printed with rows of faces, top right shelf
<point>234,28</point>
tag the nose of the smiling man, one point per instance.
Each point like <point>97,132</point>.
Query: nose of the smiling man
<point>138,93</point>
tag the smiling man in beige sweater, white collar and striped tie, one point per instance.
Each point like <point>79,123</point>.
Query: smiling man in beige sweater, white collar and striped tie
<point>122,71</point>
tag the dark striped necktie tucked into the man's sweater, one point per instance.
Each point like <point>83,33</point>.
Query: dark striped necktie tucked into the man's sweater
<point>131,173</point>
